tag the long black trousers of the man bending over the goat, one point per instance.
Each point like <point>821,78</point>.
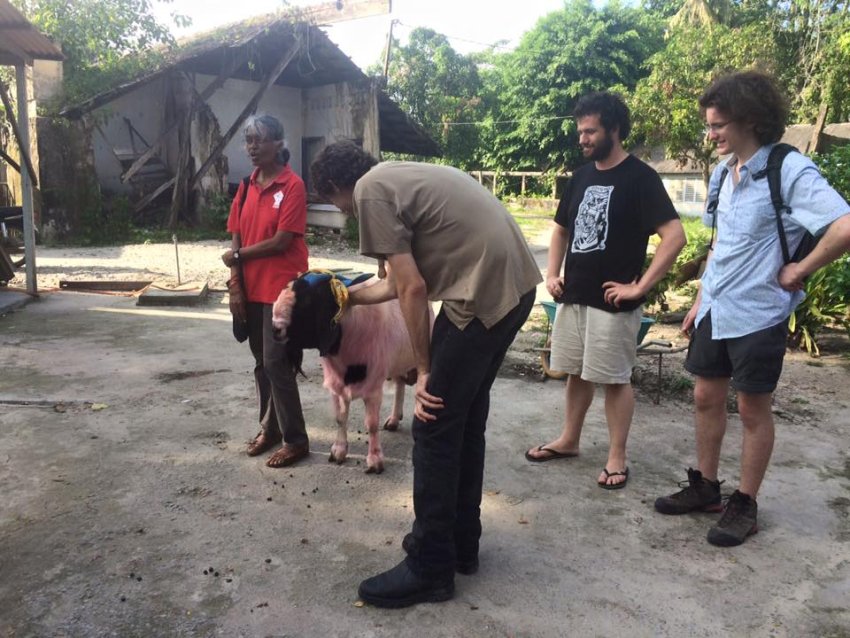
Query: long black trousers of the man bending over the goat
<point>448,453</point>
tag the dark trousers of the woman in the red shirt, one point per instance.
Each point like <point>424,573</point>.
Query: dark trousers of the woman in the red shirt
<point>277,388</point>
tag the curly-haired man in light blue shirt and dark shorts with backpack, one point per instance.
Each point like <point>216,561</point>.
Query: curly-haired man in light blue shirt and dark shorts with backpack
<point>739,322</point>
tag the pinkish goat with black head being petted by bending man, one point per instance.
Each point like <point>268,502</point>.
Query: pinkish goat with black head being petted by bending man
<point>361,347</point>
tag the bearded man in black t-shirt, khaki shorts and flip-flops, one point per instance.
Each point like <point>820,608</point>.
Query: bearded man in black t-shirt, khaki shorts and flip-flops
<point>605,218</point>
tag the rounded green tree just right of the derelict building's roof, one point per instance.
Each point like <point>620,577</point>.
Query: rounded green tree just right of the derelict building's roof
<point>440,89</point>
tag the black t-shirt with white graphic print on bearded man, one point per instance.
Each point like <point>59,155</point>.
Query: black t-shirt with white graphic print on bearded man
<point>609,216</point>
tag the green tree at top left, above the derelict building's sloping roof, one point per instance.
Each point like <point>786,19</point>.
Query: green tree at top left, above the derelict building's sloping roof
<point>96,37</point>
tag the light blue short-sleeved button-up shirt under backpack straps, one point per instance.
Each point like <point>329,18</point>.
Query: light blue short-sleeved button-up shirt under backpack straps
<point>740,284</point>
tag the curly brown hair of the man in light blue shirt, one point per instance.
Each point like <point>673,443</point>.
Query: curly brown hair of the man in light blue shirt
<point>752,98</point>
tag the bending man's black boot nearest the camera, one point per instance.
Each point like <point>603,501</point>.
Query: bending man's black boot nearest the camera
<point>400,587</point>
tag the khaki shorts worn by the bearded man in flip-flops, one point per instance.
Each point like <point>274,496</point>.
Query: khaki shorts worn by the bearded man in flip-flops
<point>598,346</point>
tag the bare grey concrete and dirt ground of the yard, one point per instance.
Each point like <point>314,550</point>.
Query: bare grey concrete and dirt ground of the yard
<point>130,508</point>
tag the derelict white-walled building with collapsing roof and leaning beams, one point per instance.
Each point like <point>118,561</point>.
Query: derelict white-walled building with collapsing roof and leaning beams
<point>175,134</point>
